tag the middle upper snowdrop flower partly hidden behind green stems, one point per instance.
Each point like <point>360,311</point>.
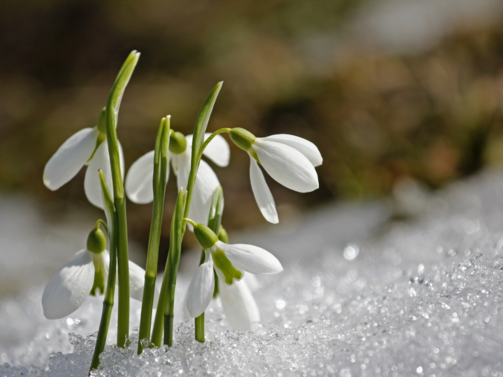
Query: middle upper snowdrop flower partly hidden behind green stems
<point>139,179</point>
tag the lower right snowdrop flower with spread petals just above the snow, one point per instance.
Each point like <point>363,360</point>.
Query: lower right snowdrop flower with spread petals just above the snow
<point>230,263</point>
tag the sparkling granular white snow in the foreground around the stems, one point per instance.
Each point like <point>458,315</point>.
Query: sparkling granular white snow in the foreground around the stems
<point>359,297</point>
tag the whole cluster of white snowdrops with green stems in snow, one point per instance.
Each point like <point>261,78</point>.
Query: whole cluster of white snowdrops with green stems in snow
<point>226,271</point>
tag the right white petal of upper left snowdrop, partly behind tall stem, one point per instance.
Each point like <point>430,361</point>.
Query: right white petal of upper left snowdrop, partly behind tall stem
<point>92,185</point>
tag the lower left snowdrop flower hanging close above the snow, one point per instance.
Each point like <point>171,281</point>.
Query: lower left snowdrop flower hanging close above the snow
<point>85,275</point>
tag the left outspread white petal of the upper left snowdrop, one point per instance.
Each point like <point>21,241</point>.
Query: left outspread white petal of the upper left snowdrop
<point>69,158</point>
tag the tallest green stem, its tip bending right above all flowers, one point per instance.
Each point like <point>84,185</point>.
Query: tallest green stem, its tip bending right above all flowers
<point>111,118</point>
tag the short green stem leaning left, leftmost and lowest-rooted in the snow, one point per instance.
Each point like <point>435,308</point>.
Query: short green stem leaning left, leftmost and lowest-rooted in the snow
<point>108,301</point>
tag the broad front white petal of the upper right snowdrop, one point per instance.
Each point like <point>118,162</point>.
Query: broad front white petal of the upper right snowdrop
<point>286,165</point>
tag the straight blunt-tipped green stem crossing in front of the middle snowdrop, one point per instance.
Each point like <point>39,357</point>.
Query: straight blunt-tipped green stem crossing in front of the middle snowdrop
<point>159,187</point>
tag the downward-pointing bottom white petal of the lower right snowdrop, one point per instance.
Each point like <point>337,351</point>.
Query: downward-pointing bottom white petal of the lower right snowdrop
<point>239,306</point>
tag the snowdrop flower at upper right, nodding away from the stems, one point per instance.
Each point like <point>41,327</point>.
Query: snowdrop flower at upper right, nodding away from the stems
<point>289,160</point>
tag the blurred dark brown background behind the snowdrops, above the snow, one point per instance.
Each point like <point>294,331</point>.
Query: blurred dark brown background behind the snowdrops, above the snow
<point>387,89</point>
